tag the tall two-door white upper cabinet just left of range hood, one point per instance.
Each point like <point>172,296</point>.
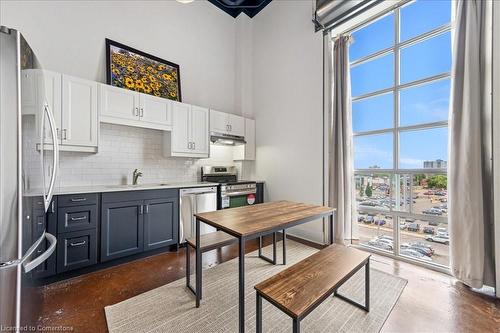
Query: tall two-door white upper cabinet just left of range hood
<point>189,136</point>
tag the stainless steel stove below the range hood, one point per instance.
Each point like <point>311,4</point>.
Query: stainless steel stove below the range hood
<point>232,192</point>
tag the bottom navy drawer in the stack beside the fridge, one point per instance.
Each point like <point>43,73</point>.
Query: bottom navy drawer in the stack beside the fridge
<point>76,249</point>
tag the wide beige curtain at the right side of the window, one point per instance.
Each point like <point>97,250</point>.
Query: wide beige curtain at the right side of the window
<point>469,172</point>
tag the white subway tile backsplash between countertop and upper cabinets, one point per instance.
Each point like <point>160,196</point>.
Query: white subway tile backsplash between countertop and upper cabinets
<point>123,149</point>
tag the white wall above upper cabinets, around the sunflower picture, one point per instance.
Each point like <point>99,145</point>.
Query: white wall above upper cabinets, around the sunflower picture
<point>68,37</point>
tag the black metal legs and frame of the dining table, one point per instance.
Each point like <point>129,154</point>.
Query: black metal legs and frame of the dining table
<point>241,255</point>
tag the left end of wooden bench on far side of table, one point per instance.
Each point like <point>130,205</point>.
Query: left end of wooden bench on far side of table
<point>210,241</point>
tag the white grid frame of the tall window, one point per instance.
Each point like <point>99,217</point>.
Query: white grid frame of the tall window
<point>396,172</point>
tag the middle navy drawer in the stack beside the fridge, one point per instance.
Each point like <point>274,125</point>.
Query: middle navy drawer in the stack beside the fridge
<point>76,218</point>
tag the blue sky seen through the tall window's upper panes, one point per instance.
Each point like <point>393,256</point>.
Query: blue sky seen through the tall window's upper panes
<point>418,105</point>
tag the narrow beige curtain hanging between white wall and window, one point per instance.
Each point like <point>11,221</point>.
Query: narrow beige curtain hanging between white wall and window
<point>341,195</point>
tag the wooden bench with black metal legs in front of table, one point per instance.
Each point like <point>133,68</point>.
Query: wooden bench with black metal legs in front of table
<point>299,289</point>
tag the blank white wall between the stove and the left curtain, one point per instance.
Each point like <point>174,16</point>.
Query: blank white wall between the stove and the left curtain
<point>287,102</point>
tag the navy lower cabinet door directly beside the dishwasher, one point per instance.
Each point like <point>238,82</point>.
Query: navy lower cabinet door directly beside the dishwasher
<point>160,222</point>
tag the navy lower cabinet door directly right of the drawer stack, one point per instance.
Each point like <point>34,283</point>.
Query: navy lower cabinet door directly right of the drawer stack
<point>122,229</point>
